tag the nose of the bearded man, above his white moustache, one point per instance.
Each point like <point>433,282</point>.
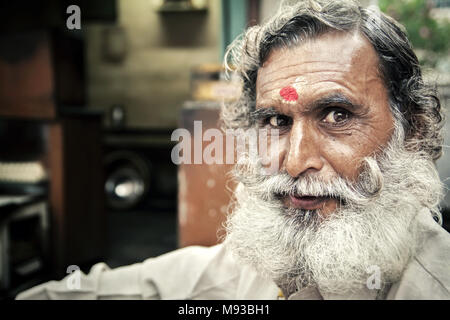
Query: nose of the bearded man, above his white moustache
<point>303,156</point>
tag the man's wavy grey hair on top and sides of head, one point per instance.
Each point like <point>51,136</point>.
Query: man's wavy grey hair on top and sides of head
<point>414,103</point>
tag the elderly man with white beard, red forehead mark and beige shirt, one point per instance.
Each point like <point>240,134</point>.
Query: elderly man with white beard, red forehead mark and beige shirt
<point>352,209</point>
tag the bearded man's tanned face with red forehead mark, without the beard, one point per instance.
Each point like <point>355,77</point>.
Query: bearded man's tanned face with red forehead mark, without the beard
<point>330,106</point>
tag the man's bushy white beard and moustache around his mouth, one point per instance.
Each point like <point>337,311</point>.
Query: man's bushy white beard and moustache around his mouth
<point>375,226</point>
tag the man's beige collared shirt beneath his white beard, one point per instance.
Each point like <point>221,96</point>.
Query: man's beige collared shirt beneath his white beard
<point>212,273</point>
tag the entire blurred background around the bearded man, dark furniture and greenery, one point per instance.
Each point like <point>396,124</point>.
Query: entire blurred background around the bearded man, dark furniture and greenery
<point>87,109</point>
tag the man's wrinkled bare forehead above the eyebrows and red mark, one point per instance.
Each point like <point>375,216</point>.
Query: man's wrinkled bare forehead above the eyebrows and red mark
<point>332,63</point>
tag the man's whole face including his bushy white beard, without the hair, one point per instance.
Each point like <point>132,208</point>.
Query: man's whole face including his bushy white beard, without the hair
<point>338,139</point>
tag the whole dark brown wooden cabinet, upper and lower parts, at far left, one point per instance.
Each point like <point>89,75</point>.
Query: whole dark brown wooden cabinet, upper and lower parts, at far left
<point>41,73</point>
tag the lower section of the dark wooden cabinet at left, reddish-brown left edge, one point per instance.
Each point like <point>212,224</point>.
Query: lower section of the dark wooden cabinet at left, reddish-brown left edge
<point>76,191</point>
